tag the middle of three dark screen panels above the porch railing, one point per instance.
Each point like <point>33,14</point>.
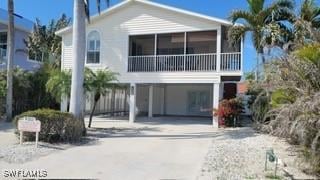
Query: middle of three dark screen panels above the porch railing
<point>170,44</point>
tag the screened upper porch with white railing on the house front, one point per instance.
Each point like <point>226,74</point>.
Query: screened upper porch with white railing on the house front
<point>186,51</point>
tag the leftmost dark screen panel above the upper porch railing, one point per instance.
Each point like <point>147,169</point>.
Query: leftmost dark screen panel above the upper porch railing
<point>142,45</point>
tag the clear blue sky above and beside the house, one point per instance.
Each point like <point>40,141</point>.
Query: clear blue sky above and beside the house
<point>46,10</point>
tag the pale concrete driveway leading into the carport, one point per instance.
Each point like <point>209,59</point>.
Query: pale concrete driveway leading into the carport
<point>157,148</point>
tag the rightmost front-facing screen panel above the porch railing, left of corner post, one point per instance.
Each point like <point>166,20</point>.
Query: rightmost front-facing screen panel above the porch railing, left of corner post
<point>203,42</point>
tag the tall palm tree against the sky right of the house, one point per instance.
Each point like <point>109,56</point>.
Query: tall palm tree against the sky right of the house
<point>255,20</point>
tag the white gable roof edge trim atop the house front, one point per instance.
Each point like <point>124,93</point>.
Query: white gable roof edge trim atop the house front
<point>150,3</point>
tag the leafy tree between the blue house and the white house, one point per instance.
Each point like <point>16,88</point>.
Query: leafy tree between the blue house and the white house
<point>43,44</point>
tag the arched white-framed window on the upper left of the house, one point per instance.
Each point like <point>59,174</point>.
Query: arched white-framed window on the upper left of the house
<point>93,48</point>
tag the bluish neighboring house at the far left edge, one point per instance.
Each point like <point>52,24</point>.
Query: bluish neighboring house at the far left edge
<point>23,28</point>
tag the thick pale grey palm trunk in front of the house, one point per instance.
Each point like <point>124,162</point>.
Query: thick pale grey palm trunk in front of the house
<point>78,59</point>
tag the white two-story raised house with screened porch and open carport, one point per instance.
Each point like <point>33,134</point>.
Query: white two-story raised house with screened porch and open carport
<point>176,62</point>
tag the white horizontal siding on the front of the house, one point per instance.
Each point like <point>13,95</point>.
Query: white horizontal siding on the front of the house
<point>136,19</point>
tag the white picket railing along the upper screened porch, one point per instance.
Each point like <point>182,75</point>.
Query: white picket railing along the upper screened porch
<point>184,62</point>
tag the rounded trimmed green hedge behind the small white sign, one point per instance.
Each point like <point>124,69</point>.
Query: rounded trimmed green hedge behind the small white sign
<point>56,126</point>
